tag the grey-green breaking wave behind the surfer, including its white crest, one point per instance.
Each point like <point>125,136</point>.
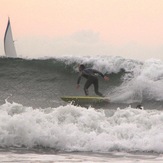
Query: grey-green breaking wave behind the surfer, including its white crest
<point>41,82</point>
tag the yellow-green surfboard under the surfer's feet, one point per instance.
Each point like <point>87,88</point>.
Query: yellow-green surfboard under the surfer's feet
<point>81,100</point>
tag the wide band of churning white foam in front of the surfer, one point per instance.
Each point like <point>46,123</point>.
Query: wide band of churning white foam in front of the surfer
<point>72,128</point>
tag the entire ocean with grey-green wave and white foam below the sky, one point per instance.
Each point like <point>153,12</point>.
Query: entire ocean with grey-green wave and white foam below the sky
<point>37,126</point>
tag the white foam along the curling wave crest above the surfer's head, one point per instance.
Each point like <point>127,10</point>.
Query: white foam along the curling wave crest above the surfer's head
<point>105,64</point>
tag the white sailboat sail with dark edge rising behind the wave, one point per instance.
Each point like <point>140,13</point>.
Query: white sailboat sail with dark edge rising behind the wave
<point>8,42</point>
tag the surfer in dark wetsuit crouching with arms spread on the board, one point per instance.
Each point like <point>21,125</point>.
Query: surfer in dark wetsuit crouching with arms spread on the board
<point>91,76</point>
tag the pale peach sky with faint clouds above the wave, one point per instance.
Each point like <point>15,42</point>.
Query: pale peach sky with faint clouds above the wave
<point>48,28</point>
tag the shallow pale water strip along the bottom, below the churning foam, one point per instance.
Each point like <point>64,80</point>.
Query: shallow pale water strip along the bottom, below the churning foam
<point>43,156</point>
